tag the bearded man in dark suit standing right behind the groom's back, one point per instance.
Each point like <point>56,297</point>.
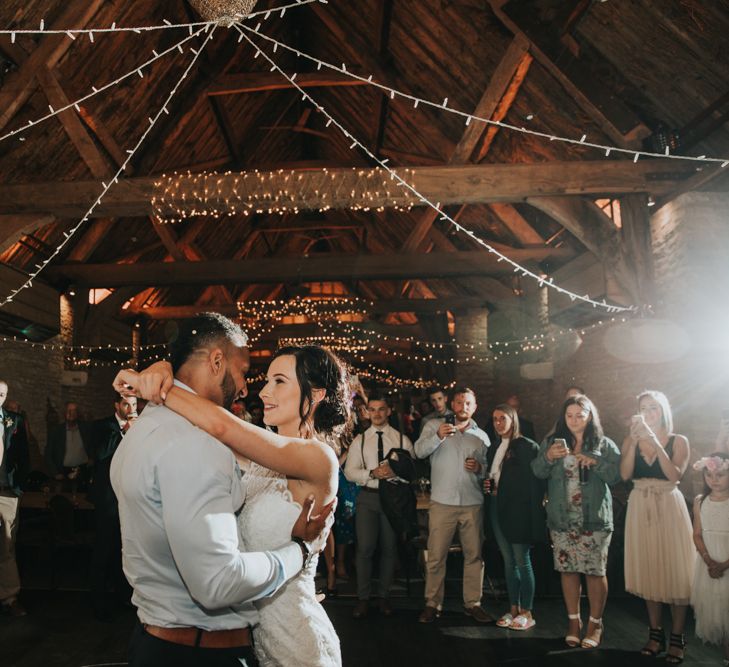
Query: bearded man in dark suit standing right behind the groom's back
<point>106,568</point>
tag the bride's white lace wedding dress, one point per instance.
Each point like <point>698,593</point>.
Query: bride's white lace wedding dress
<point>294,628</point>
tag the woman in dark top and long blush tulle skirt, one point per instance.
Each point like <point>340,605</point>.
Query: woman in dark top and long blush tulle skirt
<point>659,552</point>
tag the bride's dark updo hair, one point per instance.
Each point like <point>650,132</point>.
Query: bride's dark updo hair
<point>319,368</point>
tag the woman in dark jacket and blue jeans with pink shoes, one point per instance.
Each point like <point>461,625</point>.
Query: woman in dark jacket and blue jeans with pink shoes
<point>515,511</point>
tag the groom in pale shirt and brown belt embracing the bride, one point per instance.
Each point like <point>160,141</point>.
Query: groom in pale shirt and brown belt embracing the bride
<point>178,491</point>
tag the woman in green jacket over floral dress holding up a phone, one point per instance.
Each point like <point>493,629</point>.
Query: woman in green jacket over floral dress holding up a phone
<point>579,464</point>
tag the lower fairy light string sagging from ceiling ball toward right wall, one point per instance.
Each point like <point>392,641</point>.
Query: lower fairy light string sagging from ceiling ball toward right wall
<point>518,268</point>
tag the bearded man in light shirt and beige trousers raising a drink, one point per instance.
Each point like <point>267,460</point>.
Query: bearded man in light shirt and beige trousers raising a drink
<point>457,450</point>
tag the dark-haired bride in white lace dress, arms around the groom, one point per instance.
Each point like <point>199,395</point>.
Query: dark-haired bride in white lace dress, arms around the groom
<point>305,396</point>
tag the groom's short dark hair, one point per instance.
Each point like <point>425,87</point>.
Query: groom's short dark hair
<point>203,330</point>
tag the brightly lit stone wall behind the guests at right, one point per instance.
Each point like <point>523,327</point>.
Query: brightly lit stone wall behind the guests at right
<point>690,238</point>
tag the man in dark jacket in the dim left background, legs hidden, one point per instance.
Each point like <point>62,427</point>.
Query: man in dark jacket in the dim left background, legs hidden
<point>69,450</point>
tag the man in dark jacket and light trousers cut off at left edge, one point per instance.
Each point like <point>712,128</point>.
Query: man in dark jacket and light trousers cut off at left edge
<point>13,471</point>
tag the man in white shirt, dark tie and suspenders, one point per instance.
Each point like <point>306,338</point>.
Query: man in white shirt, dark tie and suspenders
<point>365,466</point>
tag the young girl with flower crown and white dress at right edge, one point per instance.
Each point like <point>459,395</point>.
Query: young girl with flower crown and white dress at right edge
<point>710,594</point>
